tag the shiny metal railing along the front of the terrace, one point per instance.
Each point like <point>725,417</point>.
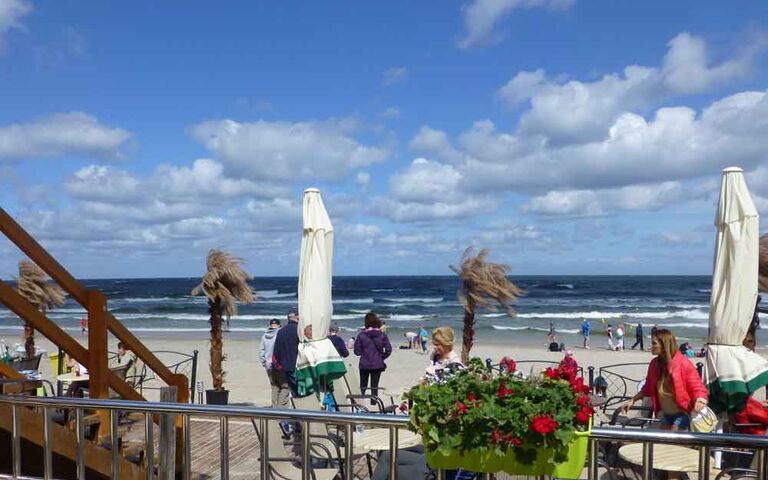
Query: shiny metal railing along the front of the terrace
<point>648,438</point>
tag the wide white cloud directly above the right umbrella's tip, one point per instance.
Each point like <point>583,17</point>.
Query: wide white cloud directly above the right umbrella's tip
<point>677,143</point>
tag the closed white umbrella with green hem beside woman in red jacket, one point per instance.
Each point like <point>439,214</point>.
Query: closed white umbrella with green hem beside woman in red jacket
<point>733,372</point>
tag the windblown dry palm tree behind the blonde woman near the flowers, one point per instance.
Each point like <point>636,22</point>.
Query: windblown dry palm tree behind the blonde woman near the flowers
<point>483,285</point>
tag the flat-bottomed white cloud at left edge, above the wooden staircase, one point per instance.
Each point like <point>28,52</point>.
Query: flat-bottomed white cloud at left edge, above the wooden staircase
<point>73,133</point>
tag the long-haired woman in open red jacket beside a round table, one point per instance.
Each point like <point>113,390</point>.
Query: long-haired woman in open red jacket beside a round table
<point>672,383</point>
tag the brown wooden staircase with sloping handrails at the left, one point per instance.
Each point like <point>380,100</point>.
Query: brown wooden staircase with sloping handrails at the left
<point>94,356</point>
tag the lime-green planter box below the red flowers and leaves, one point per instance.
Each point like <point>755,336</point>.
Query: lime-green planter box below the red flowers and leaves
<point>490,462</point>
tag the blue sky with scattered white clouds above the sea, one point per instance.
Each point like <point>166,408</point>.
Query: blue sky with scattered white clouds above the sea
<point>566,136</point>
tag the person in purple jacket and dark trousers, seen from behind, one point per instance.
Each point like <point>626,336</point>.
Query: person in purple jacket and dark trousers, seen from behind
<point>373,347</point>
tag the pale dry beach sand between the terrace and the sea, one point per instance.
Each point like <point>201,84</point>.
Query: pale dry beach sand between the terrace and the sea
<point>247,380</point>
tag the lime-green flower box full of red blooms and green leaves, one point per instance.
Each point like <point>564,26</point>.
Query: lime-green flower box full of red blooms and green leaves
<point>485,421</point>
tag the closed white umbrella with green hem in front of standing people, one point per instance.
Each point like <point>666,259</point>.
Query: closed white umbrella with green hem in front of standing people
<point>318,362</point>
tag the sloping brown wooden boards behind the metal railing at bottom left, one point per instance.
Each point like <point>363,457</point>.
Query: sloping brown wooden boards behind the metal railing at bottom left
<point>98,460</point>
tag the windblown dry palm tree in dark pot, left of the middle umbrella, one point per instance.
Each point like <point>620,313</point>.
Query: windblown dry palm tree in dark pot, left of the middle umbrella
<point>224,283</point>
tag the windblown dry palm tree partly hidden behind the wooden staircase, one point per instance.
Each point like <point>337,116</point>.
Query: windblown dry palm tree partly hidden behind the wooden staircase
<point>34,285</point>
